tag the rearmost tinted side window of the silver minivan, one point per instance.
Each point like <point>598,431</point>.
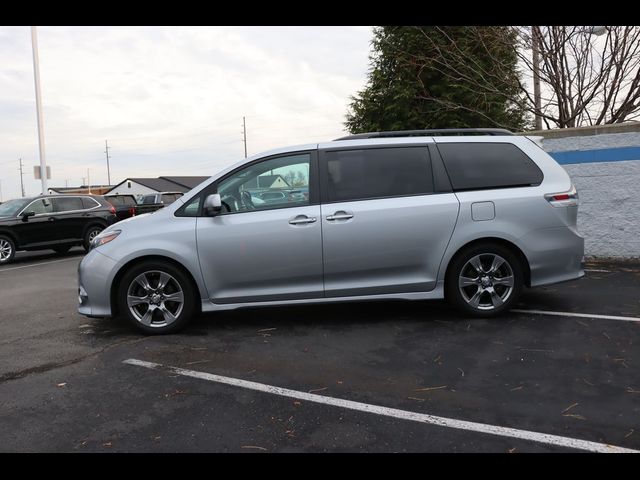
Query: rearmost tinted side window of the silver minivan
<point>488,165</point>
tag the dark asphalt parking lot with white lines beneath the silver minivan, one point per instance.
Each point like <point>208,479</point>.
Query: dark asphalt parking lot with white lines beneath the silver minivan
<point>361,377</point>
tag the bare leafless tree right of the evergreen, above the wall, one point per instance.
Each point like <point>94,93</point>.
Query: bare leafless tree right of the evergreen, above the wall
<point>586,80</point>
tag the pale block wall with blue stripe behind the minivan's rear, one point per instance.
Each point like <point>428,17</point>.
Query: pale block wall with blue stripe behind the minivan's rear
<point>604,164</point>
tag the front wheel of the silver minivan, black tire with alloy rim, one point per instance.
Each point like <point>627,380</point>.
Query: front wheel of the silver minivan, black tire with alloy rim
<point>159,324</point>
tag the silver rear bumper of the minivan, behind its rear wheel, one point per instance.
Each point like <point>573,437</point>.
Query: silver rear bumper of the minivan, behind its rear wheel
<point>554,254</point>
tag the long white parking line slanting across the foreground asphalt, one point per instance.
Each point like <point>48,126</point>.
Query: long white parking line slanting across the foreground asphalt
<point>393,412</point>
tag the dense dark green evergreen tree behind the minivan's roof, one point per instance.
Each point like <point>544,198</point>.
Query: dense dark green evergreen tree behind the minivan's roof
<point>421,77</point>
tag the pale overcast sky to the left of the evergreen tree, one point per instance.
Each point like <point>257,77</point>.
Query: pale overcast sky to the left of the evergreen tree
<point>170,100</point>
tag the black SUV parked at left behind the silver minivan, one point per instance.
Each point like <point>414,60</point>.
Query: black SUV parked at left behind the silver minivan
<point>55,222</point>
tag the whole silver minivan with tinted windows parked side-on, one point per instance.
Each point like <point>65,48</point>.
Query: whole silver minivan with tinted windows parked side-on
<point>468,215</point>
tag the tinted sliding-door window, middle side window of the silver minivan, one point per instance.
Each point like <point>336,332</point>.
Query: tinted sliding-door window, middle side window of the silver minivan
<point>378,173</point>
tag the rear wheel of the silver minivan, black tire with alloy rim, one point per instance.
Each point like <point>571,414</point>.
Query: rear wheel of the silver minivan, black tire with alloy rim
<point>490,289</point>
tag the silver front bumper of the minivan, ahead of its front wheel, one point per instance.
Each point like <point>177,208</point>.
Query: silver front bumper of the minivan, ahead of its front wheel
<point>95,276</point>
